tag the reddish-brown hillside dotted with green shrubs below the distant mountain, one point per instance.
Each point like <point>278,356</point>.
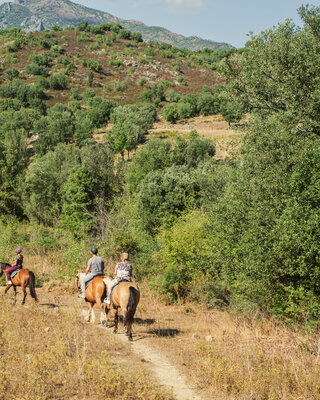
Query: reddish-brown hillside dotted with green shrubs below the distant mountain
<point>123,69</point>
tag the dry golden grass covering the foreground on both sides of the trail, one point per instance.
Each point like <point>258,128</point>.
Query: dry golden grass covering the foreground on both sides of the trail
<point>250,357</point>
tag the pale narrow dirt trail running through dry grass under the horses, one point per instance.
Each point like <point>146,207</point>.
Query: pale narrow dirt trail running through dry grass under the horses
<point>142,351</point>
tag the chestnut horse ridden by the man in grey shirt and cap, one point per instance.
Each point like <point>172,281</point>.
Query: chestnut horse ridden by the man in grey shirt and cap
<point>96,292</point>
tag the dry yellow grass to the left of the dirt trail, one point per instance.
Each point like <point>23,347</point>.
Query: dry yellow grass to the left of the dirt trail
<point>47,352</point>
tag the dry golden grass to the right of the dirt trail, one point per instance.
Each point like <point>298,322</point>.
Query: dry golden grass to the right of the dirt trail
<point>247,358</point>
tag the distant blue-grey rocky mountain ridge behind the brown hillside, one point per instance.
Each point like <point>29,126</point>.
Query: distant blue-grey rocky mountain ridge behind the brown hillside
<point>37,15</point>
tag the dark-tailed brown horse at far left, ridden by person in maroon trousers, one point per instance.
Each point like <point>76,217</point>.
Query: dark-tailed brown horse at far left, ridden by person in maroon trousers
<point>23,278</point>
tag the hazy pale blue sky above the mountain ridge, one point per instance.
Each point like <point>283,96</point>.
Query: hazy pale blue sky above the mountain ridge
<point>219,20</point>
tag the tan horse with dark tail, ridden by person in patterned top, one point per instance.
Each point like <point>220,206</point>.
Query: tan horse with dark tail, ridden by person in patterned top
<point>126,296</point>
